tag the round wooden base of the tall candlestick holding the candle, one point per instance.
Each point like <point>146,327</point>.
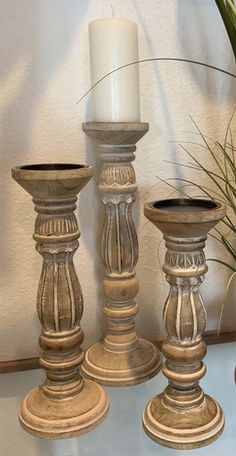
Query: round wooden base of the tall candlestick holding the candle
<point>114,368</point>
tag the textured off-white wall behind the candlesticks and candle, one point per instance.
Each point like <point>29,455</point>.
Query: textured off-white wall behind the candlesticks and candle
<point>44,70</point>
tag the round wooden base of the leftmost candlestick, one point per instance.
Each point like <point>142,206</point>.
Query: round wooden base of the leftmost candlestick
<point>61,418</point>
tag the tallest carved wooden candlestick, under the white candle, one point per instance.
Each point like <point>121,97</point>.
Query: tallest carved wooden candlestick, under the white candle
<point>122,358</point>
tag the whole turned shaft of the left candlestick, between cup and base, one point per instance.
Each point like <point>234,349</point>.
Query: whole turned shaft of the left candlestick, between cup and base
<point>59,297</point>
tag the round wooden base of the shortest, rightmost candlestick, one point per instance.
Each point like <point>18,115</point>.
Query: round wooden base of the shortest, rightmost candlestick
<point>183,429</point>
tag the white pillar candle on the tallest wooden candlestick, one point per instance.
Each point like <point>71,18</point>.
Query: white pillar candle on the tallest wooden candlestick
<point>113,43</point>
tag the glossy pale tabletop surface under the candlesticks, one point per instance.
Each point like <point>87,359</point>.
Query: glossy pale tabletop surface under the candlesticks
<point>121,433</point>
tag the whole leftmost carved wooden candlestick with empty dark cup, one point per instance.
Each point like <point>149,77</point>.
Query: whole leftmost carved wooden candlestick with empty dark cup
<point>65,405</point>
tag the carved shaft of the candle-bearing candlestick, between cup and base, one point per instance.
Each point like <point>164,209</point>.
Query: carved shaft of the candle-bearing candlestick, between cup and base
<point>119,245</point>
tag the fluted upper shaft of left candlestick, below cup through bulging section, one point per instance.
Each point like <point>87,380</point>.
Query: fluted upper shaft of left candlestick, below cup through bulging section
<point>59,297</point>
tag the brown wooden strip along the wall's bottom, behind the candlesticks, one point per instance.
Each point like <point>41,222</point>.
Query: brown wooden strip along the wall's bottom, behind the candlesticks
<point>18,365</point>
